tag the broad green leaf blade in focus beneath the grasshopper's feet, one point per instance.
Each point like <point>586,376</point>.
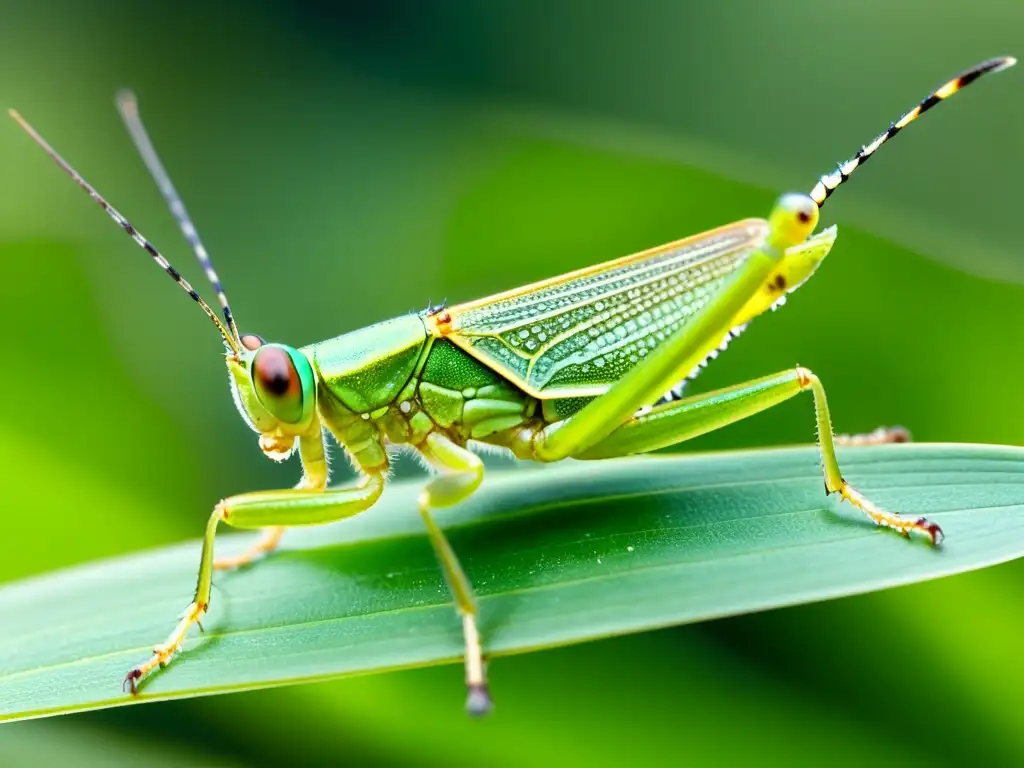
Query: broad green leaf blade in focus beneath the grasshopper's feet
<point>559,556</point>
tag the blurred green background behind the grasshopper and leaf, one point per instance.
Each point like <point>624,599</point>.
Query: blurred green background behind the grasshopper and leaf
<point>348,161</point>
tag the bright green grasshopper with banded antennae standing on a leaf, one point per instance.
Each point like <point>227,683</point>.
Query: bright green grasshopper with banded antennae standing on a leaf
<point>586,366</point>
